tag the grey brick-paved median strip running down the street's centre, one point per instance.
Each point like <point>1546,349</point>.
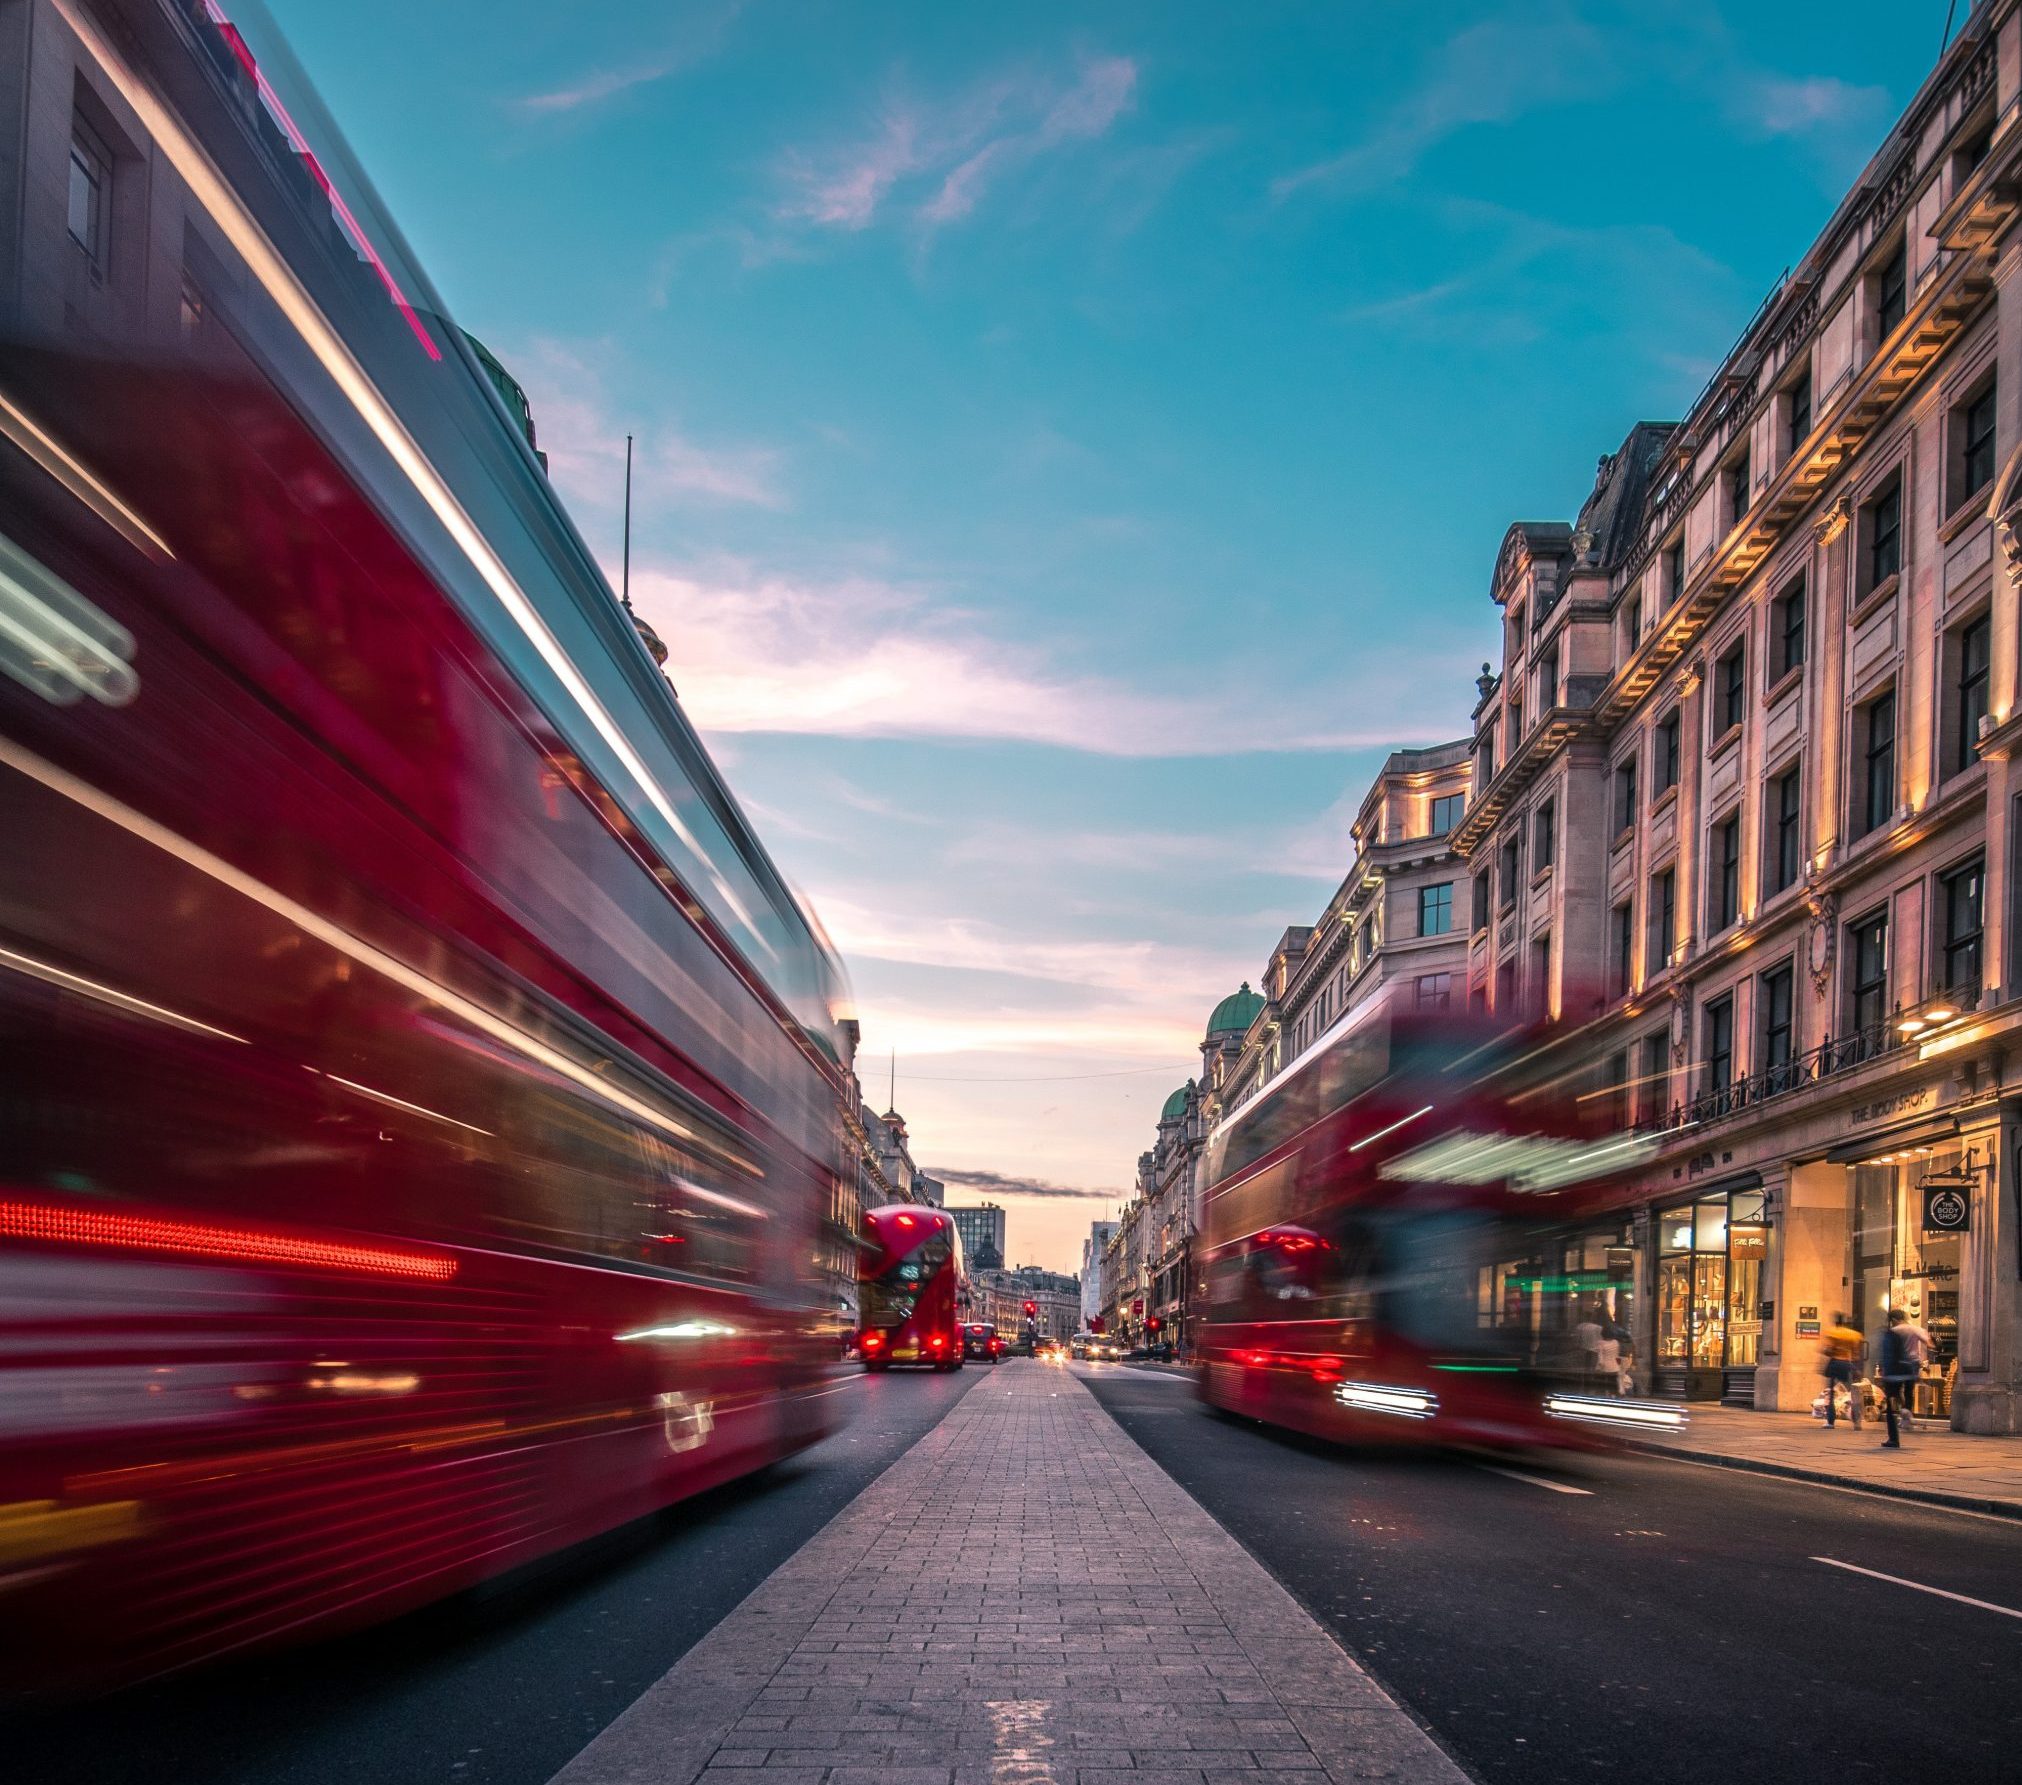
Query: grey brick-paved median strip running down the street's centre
<point>1022,1600</point>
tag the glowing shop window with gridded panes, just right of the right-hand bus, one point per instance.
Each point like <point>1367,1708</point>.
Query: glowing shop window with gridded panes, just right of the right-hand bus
<point>1710,1295</point>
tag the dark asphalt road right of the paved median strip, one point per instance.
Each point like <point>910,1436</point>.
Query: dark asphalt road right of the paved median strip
<point>1669,1624</point>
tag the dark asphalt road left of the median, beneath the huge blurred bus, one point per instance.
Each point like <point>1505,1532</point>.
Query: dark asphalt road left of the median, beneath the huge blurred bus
<point>498,1687</point>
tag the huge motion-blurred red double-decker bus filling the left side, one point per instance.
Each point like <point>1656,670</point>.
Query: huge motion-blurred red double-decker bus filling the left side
<point>418,1087</point>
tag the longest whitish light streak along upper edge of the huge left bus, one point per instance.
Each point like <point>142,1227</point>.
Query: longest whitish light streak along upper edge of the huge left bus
<point>337,359</point>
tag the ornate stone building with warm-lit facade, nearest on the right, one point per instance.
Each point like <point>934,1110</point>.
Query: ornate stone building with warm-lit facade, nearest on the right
<point>1748,793</point>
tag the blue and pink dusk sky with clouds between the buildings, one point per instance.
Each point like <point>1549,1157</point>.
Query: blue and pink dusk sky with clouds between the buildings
<point>1075,440</point>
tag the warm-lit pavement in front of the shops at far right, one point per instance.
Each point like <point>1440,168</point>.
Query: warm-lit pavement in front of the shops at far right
<point>1936,1465</point>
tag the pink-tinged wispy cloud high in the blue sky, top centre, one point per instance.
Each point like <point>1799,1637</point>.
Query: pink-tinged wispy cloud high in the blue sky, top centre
<point>937,161</point>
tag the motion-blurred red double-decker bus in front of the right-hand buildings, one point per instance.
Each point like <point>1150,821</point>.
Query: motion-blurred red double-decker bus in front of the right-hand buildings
<point>1386,1236</point>
